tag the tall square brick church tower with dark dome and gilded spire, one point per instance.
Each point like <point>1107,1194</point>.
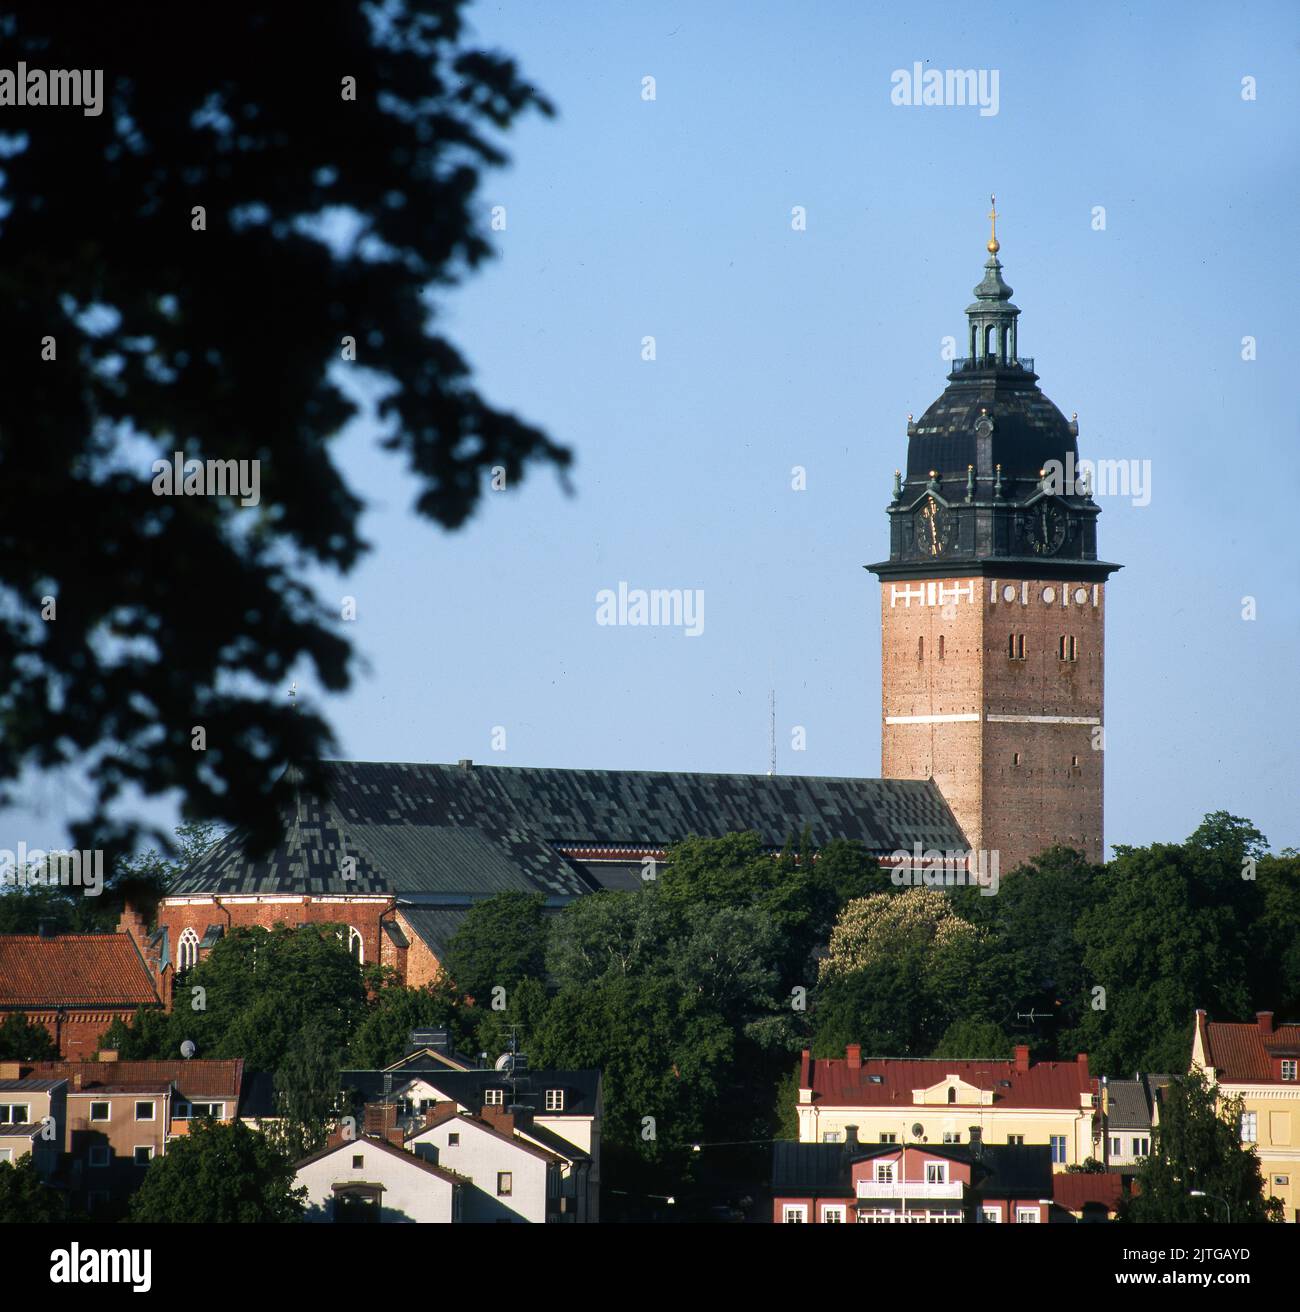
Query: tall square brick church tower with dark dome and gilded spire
<point>994,602</point>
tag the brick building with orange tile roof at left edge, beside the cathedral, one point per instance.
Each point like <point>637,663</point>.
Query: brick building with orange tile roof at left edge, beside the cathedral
<point>77,986</point>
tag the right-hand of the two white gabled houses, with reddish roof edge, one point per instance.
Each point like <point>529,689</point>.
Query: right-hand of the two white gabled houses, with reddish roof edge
<point>510,1176</point>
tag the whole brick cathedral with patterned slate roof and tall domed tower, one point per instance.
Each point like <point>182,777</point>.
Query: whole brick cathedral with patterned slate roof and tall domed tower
<point>992,609</point>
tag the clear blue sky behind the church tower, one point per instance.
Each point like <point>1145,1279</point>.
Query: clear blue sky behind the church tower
<point>779,348</point>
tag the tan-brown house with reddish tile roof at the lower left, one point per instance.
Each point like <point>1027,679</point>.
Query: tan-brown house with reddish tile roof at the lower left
<point>123,1115</point>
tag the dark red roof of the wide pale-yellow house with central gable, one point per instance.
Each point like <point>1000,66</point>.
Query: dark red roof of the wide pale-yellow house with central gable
<point>1046,1084</point>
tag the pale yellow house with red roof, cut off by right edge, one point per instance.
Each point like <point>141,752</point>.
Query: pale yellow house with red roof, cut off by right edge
<point>1260,1063</point>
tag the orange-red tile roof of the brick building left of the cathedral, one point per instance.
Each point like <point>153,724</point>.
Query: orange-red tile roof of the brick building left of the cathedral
<point>73,970</point>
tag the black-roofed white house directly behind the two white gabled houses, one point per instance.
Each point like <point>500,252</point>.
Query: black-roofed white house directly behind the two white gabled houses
<point>558,1112</point>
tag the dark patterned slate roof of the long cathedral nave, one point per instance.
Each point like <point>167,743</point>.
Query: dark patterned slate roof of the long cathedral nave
<point>427,830</point>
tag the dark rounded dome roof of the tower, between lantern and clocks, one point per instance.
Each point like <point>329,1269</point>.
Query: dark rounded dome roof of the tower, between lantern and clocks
<point>1028,430</point>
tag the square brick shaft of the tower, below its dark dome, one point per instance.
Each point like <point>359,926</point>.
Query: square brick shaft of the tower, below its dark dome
<point>945,653</point>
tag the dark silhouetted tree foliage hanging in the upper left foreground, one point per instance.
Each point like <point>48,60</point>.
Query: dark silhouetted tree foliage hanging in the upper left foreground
<point>233,260</point>
